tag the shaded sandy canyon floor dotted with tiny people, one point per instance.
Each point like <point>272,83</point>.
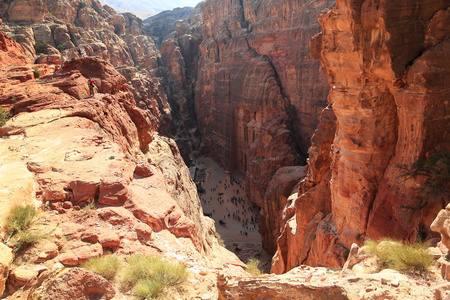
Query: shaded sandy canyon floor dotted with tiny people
<point>225,199</point>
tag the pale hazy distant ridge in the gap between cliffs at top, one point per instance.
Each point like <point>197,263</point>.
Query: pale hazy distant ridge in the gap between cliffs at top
<point>148,6</point>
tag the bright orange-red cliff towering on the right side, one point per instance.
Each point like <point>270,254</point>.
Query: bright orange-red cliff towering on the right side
<point>389,100</point>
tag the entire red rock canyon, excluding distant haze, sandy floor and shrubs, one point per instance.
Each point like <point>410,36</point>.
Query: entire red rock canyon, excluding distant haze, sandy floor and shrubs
<point>320,105</point>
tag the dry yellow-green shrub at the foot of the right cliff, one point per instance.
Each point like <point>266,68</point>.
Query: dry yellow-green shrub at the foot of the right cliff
<point>401,256</point>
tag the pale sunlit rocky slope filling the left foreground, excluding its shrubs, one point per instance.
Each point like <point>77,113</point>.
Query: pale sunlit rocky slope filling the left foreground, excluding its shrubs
<point>110,156</point>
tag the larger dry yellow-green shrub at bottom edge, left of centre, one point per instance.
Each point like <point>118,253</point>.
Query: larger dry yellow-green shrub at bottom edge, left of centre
<point>150,276</point>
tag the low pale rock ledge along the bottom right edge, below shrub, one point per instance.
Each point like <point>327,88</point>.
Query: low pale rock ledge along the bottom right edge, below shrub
<point>305,282</point>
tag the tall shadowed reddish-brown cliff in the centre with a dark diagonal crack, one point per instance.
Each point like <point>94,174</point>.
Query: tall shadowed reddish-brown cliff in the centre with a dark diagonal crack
<point>258,93</point>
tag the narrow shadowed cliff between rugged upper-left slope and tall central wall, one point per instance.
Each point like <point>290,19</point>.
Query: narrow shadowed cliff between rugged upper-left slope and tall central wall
<point>179,56</point>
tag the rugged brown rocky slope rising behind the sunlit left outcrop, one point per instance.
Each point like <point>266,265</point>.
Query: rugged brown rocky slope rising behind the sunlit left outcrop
<point>66,30</point>
